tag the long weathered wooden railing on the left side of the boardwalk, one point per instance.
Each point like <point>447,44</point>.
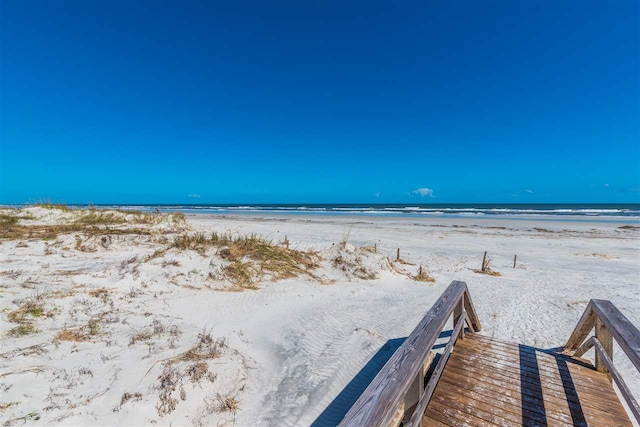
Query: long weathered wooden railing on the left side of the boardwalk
<point>398,393</point>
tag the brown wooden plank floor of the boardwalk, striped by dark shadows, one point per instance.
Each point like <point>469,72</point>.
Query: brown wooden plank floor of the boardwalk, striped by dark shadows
<point>488,382</point>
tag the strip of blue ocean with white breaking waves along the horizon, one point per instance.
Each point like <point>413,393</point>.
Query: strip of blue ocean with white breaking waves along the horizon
<point>586,211</point>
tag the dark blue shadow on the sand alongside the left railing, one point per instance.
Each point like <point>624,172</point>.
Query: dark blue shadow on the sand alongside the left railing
<point>338,408</point>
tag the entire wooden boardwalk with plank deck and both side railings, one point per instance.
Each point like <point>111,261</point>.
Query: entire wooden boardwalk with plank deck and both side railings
<point>481,381</point>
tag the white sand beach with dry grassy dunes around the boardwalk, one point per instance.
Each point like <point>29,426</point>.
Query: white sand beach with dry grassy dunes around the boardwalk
<point>117,321</point>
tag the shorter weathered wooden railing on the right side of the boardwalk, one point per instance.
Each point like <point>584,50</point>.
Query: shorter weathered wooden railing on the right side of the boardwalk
<point>609,324</point>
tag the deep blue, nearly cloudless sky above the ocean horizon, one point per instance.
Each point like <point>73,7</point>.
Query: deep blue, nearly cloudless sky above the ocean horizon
<point>331,101</point>
